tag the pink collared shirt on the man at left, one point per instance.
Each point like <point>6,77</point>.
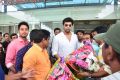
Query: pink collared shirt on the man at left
<point>12,50</point>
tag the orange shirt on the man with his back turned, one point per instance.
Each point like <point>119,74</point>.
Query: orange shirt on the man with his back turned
<point>37,59</point>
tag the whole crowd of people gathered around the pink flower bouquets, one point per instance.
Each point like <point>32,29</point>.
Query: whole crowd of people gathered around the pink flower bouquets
<point>32,60</point>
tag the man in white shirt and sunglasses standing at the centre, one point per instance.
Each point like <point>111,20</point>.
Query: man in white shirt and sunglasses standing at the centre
<point>65,42</point>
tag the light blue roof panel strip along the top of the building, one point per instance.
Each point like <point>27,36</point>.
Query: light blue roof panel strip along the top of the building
<point>37,4</point>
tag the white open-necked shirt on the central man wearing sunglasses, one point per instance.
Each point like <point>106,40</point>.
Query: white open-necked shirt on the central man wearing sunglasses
<point>62,46</point>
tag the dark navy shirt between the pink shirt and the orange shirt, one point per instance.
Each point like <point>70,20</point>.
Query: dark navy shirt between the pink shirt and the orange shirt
<point>20,55</point>
